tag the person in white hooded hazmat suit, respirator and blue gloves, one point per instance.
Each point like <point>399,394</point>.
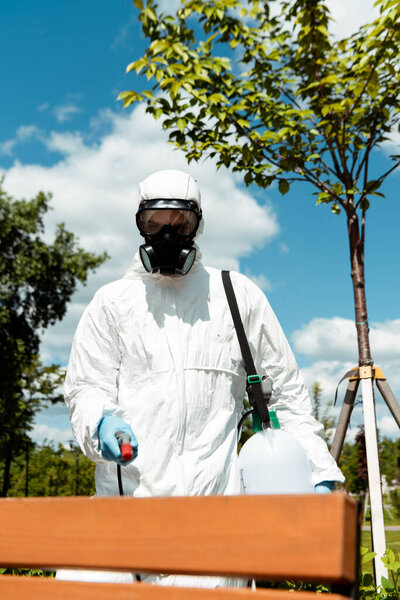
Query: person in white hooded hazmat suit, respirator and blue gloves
<point>156,355</point>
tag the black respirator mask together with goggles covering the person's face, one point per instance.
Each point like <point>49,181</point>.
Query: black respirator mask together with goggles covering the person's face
<point>169,227</point>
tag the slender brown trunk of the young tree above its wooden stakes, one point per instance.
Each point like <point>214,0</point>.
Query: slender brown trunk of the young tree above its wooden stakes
<point>360,301</point>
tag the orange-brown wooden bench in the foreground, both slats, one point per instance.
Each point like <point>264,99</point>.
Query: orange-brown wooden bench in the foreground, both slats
<point>312,538</point>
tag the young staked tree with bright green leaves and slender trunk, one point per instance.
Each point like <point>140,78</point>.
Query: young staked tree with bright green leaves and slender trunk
<point>293,105</point>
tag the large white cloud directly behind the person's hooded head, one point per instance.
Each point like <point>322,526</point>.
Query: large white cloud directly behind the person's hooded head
<point>94,190</point>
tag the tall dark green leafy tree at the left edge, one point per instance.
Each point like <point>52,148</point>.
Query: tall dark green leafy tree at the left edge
<point>37,280</point>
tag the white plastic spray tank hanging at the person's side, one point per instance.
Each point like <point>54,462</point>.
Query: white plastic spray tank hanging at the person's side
<point>274,462</point>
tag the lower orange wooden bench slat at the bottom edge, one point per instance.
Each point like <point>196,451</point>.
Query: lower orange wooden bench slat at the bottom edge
<point>37,588</point>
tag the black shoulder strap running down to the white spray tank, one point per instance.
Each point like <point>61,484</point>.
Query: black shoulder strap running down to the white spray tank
<point>254,388</point>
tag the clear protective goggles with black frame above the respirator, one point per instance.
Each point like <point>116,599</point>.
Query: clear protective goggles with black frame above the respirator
<point>184,216</point>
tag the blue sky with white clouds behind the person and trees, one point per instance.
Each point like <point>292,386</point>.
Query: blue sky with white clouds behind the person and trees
<point>62,130</point>
